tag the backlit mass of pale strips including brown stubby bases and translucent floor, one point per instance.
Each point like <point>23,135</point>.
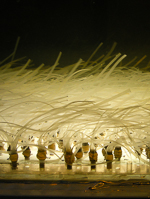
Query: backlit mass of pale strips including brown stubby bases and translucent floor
<point>89,120</point>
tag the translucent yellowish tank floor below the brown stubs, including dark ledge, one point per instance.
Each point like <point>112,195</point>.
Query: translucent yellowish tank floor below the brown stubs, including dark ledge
<point>124,179</point>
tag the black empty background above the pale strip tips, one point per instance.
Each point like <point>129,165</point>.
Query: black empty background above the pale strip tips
<point>75,27</point>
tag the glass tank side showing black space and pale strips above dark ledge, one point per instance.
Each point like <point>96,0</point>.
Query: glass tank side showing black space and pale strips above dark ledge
<point>77,106</point>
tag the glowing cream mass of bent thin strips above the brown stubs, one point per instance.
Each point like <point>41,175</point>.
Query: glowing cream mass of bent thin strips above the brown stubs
<point>104,103</point>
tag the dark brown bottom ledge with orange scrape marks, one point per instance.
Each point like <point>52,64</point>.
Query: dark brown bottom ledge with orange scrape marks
<point>130,188</point>
